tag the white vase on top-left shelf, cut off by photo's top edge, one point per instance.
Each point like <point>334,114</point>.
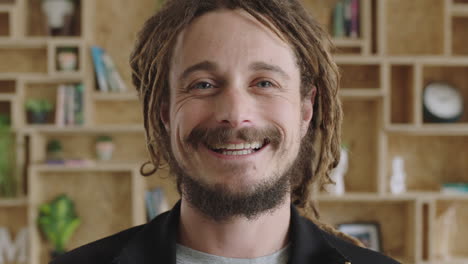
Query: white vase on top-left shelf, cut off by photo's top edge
<point>56,10</point>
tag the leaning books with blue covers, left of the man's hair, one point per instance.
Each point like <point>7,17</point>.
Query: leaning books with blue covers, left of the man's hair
<point>107,76</point>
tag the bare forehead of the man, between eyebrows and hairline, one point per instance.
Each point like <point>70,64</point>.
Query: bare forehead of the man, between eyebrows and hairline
<point>231,38</point>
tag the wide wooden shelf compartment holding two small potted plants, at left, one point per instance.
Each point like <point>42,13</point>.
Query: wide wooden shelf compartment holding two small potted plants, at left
<point>75,145</point>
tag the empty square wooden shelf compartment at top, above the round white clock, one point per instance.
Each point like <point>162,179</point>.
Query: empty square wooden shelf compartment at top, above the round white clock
<point>407,20</point>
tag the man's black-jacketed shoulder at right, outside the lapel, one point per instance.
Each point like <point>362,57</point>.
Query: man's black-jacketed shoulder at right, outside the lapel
<point>357,254</point>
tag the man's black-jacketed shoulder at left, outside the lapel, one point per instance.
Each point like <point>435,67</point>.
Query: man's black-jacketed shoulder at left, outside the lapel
<point>101,251</point>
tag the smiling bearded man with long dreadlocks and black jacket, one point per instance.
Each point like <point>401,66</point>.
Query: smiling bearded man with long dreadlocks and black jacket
<point>240,99</point>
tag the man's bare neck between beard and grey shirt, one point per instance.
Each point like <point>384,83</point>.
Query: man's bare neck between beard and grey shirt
<point>238,237</point>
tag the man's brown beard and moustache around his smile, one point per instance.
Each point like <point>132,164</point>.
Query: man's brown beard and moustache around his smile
<point>217,201</point>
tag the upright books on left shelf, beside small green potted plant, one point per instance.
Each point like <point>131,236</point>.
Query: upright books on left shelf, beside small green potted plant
<point>69,109</point>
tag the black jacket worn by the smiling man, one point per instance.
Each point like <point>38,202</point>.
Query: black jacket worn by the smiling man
<point>155,242</point>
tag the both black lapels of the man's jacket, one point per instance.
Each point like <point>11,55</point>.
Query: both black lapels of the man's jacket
<point>156,242</point>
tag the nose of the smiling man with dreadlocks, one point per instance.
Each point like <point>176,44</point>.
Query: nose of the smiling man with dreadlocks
<point>234,107</point>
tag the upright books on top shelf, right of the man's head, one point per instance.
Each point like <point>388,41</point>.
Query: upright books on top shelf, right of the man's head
<point>346,19</point>
